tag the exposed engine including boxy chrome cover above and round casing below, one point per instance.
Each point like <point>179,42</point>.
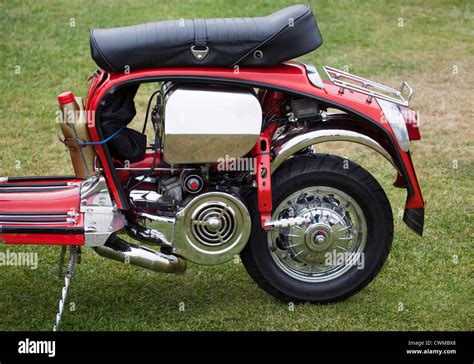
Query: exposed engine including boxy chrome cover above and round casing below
<point>193,208</point>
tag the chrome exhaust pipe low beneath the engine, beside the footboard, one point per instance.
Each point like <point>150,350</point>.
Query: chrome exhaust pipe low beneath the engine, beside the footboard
<point>125,252</point>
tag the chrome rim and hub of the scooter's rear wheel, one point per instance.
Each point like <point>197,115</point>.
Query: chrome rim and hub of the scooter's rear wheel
<point>330,243</point>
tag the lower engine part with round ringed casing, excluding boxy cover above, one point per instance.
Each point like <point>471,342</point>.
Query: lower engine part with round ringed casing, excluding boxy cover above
<point>206,228</point>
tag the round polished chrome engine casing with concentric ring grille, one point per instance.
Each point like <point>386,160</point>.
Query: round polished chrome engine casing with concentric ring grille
<point>212,228</point>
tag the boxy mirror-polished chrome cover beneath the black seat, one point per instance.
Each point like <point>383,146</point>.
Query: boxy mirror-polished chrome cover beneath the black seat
<point>204,123</point>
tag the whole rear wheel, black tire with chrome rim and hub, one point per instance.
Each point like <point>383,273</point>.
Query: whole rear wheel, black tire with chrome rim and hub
<point>342,246</point>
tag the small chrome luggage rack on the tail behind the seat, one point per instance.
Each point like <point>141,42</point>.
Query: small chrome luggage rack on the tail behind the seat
<point>373,89</point>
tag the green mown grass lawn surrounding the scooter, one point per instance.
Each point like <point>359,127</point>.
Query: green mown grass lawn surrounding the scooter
<point>420,274</point>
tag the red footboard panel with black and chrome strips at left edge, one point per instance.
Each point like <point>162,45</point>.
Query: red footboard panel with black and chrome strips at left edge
<point>41,211</point>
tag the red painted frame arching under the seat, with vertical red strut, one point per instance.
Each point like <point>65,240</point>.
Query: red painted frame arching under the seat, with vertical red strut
<point>290,77</point>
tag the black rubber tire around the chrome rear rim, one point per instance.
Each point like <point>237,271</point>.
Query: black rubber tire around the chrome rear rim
<point>332,171</point>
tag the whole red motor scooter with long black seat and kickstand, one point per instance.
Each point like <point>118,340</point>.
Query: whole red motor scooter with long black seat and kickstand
<point>231,168</point>
